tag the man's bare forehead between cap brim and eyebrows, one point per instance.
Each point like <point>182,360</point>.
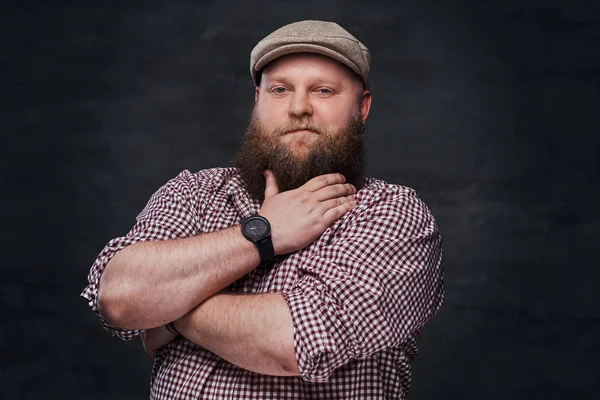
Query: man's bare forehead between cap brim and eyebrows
<point>303,65</point>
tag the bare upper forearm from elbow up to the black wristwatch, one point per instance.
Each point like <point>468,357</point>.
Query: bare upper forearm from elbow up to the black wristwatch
<point>150,283</point>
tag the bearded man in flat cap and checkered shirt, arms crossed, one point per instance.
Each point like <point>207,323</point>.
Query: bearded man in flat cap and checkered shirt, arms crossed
<point>293,275</point>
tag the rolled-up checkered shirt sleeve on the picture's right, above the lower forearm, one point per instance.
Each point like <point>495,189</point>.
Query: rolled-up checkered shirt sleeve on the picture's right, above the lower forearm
<point>376,284</point>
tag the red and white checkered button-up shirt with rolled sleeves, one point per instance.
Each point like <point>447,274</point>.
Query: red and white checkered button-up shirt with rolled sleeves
<point>359,295</point>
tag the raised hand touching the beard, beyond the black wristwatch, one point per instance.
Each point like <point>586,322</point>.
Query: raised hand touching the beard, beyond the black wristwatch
<point>300,216</point>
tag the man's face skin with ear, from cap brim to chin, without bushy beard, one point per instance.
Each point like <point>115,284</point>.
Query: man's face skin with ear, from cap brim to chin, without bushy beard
<point>303,95</point>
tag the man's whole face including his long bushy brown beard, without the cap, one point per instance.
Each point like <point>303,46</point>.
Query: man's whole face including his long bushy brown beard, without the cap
<point>307,121</point>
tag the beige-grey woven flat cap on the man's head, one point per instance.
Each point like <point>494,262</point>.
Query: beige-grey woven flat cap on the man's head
<point>311,36</point>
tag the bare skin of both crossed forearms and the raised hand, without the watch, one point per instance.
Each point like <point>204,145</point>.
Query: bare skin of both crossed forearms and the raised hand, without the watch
<point>254,332</point>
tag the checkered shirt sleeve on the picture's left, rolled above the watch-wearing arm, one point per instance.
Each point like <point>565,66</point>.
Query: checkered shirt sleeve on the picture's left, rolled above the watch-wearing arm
<point>170,213</point>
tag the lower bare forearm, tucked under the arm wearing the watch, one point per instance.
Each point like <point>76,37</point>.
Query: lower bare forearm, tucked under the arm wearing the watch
<point>254,332</point>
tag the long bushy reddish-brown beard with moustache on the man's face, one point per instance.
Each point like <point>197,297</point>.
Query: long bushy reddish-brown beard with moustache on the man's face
<point>342,152</point>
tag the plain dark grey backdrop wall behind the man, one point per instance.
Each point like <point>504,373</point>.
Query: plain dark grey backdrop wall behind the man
<point>488,108</point>
